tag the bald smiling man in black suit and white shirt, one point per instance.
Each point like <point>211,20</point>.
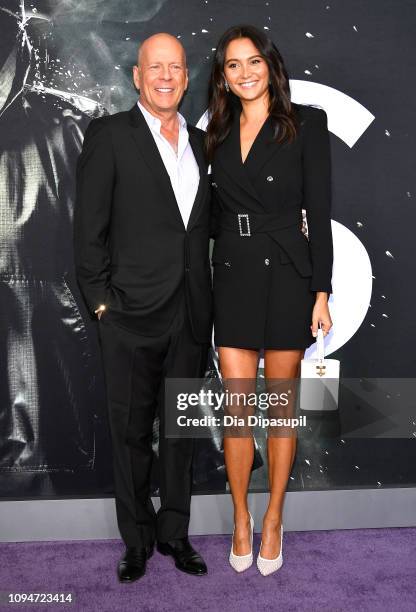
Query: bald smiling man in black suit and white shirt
<point>141,249</point>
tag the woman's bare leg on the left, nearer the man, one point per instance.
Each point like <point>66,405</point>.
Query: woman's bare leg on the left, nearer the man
<point>239,452</point>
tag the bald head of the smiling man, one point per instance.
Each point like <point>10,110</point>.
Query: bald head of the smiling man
<point>161,75</point>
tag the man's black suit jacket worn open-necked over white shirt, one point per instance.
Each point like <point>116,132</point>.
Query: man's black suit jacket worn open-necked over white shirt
<point>132,250</point>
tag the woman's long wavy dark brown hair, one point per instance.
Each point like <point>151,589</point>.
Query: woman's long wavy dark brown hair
<point>221,102</point>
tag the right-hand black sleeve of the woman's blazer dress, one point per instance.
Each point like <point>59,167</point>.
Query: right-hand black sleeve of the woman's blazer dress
<point>317,198</point>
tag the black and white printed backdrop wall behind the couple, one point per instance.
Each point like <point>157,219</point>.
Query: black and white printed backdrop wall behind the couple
<point>63,62</point>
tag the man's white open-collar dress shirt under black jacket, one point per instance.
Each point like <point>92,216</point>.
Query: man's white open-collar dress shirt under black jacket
<point>182,168</point>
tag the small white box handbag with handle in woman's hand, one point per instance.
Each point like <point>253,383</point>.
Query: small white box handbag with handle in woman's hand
<point>319,380</point>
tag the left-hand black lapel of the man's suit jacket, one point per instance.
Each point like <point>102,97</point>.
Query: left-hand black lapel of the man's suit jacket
<point>149,152</point>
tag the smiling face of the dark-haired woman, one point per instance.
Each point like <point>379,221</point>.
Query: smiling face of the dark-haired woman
<point>245,70</point>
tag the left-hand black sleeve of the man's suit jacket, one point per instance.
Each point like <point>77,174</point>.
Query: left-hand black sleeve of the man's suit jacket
<point>95,178</point>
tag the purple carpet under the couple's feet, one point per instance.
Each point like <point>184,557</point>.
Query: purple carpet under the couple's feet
<point>360,570</point>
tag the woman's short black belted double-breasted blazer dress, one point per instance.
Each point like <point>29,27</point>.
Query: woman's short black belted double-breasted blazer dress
<point>265,270</point>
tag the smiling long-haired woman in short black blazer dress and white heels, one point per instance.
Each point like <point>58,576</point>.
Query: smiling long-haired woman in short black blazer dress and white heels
<point>270,159</point>
